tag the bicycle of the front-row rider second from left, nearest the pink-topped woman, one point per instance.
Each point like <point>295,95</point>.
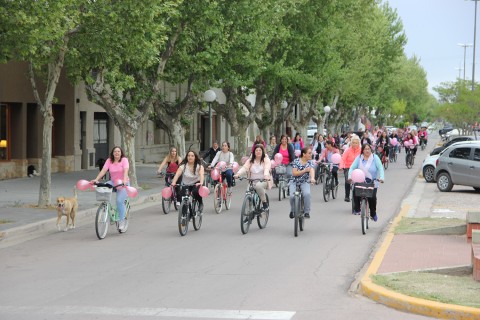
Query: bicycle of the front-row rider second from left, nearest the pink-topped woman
<point>188,210</point>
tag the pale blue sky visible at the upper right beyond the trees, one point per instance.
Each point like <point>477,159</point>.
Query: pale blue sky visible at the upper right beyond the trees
<point>434,29</point>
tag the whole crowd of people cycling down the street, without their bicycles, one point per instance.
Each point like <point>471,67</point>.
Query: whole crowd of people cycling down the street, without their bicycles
<point>358,151</point>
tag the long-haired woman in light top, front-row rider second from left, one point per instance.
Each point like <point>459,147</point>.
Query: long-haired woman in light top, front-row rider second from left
<point>192,173</point>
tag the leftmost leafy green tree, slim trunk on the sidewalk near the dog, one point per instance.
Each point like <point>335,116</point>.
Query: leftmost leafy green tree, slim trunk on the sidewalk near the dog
<point>45,29</point>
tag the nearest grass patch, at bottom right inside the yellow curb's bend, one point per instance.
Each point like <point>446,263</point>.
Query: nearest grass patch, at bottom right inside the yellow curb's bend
<point>458,290</point>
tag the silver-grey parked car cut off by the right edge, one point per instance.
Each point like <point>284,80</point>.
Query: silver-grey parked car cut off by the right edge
<point>459,164</point>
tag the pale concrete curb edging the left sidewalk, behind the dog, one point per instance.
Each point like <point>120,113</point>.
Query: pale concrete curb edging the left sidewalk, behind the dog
<point>35,230</point>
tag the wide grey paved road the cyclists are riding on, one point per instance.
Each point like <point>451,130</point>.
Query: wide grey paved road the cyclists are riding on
<point>214,273</point>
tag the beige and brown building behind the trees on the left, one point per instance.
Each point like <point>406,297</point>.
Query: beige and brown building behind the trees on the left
<point>82,131</point>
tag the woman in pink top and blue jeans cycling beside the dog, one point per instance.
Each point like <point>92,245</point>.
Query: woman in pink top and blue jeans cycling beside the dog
<point>117,165</point>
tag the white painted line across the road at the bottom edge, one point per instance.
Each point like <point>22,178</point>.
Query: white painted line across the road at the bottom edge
<point>151,312</point>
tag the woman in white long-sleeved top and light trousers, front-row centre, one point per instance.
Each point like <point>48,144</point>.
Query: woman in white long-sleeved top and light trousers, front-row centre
<point>258,167</point>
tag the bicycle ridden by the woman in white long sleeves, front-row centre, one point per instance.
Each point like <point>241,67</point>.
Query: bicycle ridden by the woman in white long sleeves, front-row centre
<point>253,208</point>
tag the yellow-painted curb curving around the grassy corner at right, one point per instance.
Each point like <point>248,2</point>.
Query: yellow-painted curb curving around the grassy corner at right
<point>406,303</point>
